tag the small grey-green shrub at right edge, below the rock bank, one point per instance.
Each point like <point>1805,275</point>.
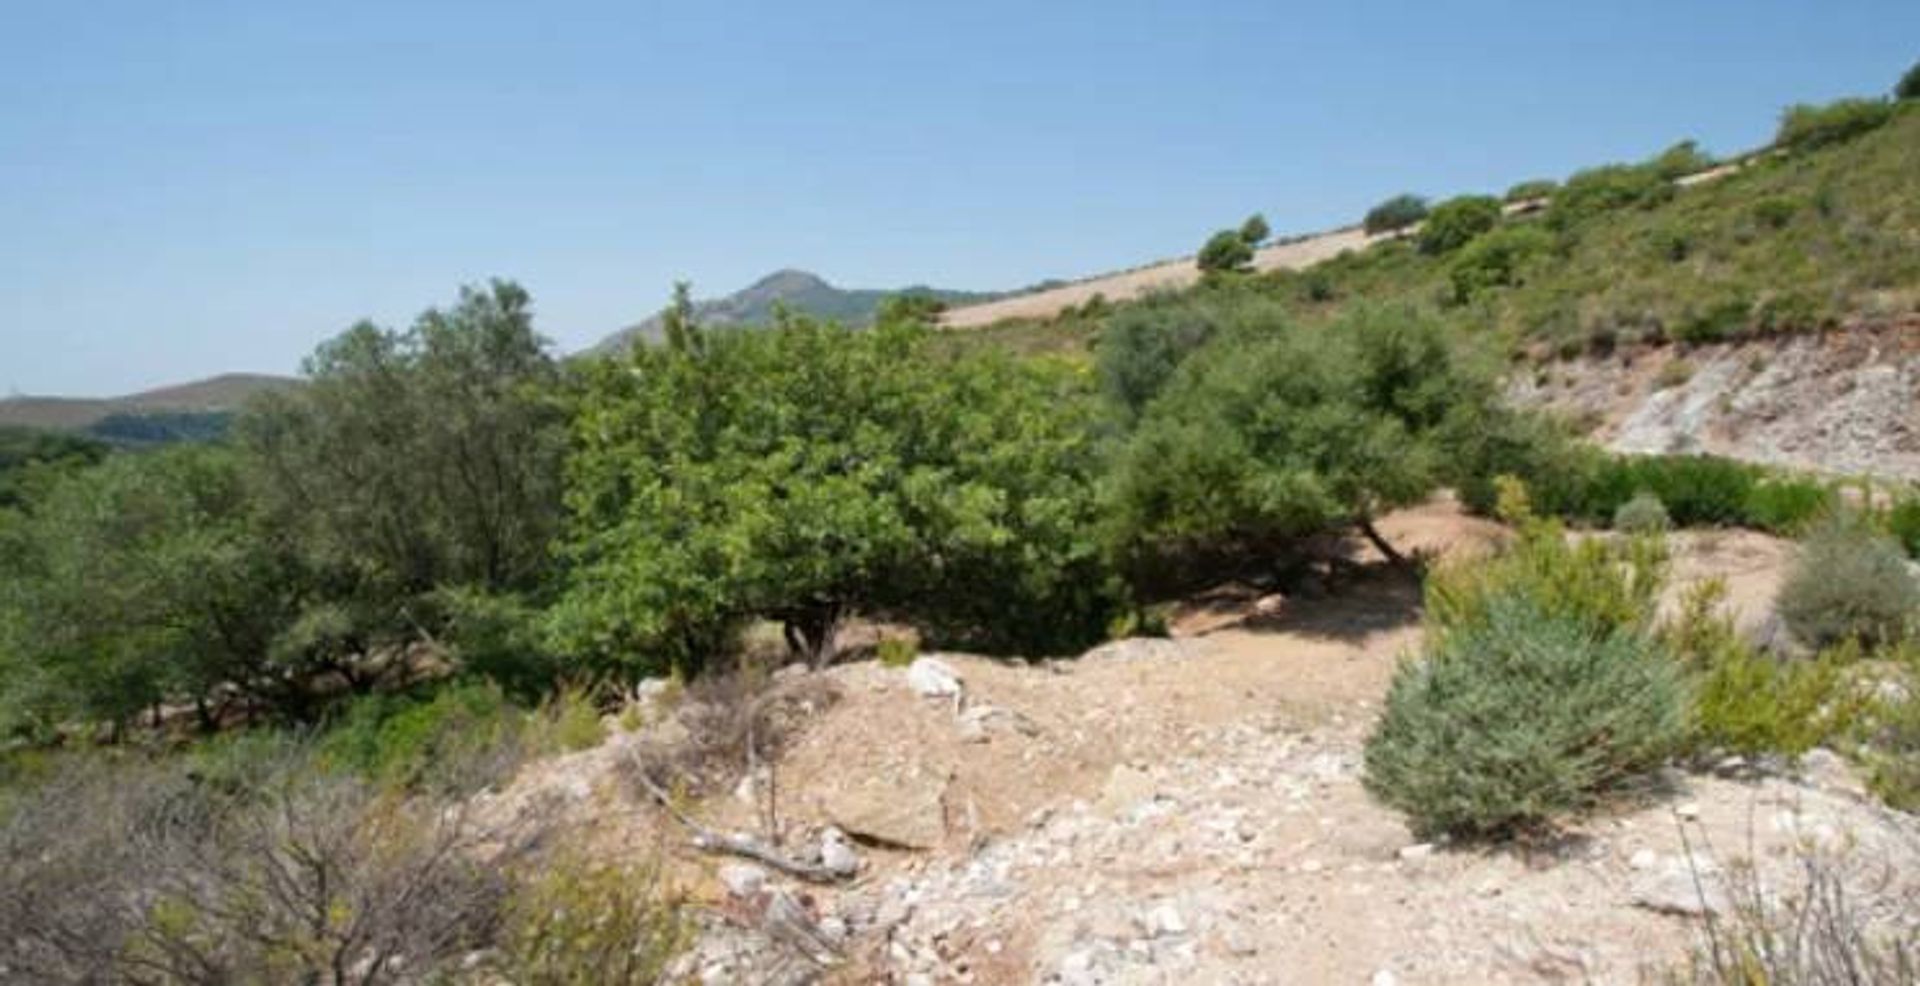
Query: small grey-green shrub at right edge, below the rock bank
<point>1848,584</point>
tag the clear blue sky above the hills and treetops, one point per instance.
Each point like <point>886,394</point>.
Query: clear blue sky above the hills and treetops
<point>203,187</point>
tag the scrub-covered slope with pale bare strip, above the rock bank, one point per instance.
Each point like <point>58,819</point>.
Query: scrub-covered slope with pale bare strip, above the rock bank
<point>1794,241</point>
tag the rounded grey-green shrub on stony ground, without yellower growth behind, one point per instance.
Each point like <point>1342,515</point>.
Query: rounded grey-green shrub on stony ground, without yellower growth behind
<point>1522,718</point>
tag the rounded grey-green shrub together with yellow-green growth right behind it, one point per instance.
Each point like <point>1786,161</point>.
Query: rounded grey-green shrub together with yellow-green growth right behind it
<point>1539,692</point>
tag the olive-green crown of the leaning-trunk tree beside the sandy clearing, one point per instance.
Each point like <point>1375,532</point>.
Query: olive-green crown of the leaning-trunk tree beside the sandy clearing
<point>1270,436</point>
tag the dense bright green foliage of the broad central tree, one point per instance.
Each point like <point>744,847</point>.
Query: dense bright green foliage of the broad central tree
<point>807,471</point>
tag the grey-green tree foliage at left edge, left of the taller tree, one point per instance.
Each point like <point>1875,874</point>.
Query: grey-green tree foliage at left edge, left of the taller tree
<point>145,580</point>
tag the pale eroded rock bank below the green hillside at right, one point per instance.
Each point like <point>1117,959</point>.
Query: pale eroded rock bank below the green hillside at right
<point>1844,402</point>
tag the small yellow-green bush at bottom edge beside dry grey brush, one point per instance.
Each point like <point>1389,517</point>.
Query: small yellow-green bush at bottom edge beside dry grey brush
<point>577,922</point>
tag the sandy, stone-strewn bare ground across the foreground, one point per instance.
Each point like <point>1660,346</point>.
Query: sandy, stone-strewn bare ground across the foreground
<point>1191,810</point>
